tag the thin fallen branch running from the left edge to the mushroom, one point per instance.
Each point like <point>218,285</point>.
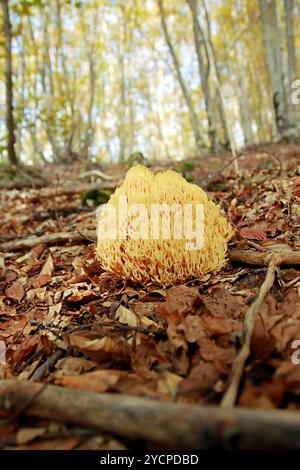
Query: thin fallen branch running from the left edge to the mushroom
<point>48,239</point>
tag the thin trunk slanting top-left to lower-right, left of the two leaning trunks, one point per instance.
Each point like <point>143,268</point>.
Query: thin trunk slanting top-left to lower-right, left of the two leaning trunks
<point>192,113</point>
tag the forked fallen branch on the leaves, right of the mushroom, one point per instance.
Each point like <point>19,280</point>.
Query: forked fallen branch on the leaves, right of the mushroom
<point>274,260</point>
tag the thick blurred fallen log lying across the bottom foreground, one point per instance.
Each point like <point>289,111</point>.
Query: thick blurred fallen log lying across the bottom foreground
<point>164,424</point>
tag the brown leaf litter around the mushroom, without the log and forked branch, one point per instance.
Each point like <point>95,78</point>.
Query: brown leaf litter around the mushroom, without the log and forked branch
<point>64,321</point>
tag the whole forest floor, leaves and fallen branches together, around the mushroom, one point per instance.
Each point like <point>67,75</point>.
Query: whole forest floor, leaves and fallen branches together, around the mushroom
<point>71,330</point>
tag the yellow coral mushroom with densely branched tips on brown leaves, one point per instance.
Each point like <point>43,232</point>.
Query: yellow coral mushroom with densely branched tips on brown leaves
<point>160,228</point>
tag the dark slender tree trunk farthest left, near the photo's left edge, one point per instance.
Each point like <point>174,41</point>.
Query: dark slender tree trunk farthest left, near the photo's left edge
<point>10,123</point>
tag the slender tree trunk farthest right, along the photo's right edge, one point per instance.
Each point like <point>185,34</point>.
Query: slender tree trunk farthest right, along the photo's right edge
<point>292,74</point>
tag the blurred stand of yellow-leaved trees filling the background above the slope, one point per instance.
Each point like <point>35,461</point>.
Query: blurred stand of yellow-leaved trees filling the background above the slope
<point>98,80</point>
